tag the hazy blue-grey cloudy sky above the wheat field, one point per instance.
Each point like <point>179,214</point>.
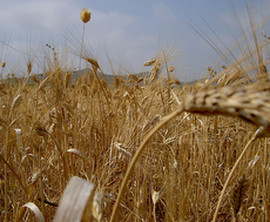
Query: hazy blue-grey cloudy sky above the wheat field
<point>127,32</point>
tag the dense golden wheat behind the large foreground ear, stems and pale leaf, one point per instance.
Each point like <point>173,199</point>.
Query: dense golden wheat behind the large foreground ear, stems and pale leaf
<point>51,131</point>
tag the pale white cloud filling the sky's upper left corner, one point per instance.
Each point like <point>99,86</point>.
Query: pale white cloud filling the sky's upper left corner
<point>36,16</point>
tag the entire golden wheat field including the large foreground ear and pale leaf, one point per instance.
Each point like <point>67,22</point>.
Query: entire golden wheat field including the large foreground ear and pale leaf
<point>153,148</point>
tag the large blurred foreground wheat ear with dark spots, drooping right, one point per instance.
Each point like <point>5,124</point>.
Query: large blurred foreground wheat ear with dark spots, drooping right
<point>250,103</point>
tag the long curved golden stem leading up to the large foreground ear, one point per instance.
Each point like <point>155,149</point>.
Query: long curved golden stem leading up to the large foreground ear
<point>137,154</point>
